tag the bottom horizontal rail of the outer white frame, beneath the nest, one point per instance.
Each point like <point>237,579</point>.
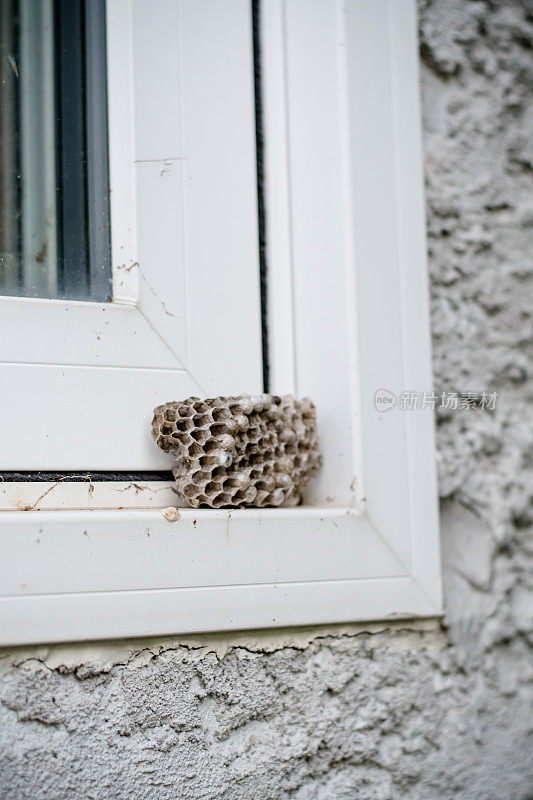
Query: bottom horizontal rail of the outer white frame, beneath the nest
<point>77,575</point>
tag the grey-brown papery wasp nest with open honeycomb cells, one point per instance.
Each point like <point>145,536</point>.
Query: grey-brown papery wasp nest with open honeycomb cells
<point>239,451</point>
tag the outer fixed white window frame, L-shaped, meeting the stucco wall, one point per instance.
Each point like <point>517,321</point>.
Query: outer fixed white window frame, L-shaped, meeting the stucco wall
<point>349,316</point>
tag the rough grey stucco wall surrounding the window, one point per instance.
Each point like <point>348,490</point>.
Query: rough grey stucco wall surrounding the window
<point>415,711</point>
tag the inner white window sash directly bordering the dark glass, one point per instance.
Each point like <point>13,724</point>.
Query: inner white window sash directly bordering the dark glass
<point>183,215</point>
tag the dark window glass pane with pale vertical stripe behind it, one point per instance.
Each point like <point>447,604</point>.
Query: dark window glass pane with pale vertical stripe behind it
<point>54,194</point>
